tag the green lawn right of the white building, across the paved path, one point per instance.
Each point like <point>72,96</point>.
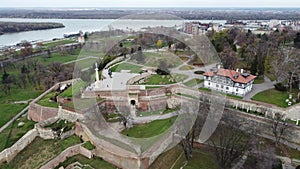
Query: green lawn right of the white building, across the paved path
<point>272,96</point>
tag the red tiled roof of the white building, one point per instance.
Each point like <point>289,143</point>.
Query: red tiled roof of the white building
<point>230,74</point>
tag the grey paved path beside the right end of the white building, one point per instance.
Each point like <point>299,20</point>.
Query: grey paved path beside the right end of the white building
<point>259,88</point>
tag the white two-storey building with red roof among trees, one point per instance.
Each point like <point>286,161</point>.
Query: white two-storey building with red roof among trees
<point>229,81</point>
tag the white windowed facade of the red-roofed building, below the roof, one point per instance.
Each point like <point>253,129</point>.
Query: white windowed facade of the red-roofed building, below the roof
<point>226,85</point>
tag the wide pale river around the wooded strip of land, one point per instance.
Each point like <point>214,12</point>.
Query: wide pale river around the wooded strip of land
<point>75,25</point>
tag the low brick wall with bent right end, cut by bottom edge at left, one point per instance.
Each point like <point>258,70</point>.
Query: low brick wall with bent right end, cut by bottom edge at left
<point>69,152</point>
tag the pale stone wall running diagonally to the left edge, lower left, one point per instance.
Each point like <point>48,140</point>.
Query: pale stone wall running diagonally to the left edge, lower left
<point>9,153</point>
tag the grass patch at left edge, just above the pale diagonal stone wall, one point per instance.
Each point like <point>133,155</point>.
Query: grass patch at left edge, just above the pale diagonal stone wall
<point>13,133</point>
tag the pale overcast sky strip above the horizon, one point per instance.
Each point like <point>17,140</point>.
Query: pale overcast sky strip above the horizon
<point>150,3</point>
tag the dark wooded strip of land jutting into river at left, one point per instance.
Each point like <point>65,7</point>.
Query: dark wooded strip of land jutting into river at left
<point>13,27</point>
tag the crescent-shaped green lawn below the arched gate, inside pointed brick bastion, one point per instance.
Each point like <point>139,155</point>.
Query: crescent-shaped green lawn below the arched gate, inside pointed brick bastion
<point>150,129</point>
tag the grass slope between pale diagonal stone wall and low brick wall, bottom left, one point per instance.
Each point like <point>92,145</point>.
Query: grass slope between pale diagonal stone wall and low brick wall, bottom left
<point>39,152</point>
